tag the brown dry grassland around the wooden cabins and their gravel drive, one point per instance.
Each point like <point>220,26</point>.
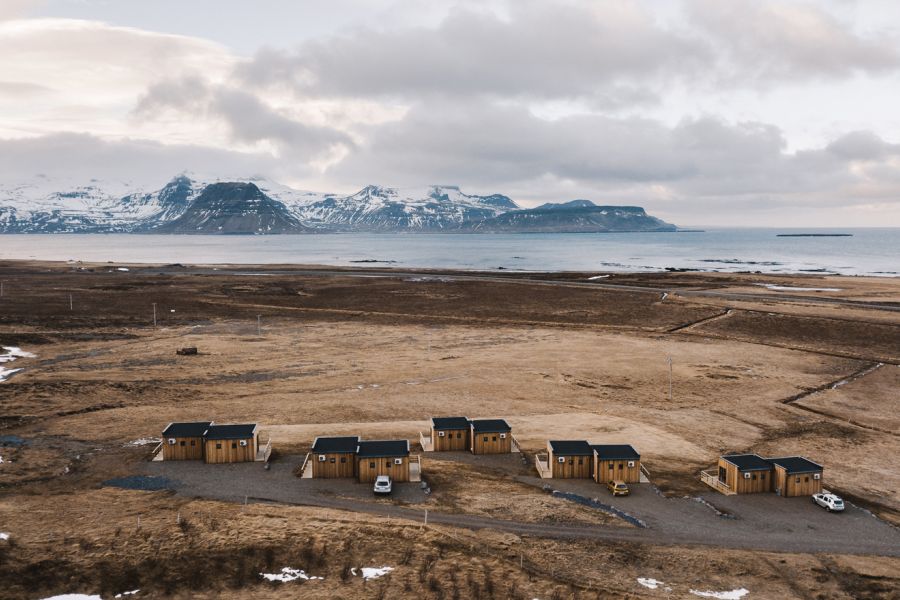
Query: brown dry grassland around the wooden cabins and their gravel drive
<point>340,354</point>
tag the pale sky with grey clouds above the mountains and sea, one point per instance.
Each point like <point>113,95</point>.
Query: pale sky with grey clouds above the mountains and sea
<point>705,112</point>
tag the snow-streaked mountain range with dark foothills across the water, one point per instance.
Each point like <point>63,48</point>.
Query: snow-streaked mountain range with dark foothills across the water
<point>191,204</point>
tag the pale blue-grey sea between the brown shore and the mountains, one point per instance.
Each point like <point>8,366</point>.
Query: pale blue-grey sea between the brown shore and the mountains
<point>867,252</point>
